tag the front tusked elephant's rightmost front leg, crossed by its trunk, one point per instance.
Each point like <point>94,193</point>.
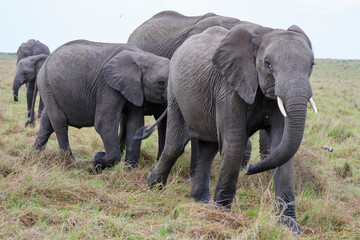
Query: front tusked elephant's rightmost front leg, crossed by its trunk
<point>284,188</point>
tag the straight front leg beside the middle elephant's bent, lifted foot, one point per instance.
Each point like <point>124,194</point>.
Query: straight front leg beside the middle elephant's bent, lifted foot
<point>134,121</point>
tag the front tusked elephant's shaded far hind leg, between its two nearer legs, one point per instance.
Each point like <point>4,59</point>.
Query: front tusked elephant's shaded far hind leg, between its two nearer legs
<point>200,182</point>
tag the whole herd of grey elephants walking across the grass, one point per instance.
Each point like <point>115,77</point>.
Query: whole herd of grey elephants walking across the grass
<point>210,79</point>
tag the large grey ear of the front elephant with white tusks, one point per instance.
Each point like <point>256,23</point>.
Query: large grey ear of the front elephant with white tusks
<point>235,59</point>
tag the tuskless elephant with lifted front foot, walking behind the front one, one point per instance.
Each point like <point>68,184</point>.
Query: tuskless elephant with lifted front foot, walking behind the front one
<point>86,84</point>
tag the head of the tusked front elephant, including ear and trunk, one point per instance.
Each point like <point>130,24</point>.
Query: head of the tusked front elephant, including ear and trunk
<point>280,63</point>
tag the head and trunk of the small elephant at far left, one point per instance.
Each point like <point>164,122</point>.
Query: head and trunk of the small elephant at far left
<point>26,71</point>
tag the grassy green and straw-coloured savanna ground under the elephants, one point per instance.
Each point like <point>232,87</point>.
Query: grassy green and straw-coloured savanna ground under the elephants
<point>44,196</point>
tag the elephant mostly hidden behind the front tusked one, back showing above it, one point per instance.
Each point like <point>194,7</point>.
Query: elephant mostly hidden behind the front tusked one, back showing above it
<point>161,35</point>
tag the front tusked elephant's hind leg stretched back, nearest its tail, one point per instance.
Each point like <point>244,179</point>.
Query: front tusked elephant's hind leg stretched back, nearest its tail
<point>176,139</point>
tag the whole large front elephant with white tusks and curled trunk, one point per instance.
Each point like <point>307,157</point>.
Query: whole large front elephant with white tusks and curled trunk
<point>222,88</point>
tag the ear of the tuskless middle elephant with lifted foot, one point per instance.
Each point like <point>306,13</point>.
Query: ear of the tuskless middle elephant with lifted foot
<point>124,75</point>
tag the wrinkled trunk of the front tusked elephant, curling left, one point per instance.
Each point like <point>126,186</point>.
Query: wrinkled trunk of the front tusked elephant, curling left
<point>296,106</point>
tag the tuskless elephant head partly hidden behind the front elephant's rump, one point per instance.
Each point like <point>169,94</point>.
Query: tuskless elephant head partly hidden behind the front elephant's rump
<point>138,76</point>
